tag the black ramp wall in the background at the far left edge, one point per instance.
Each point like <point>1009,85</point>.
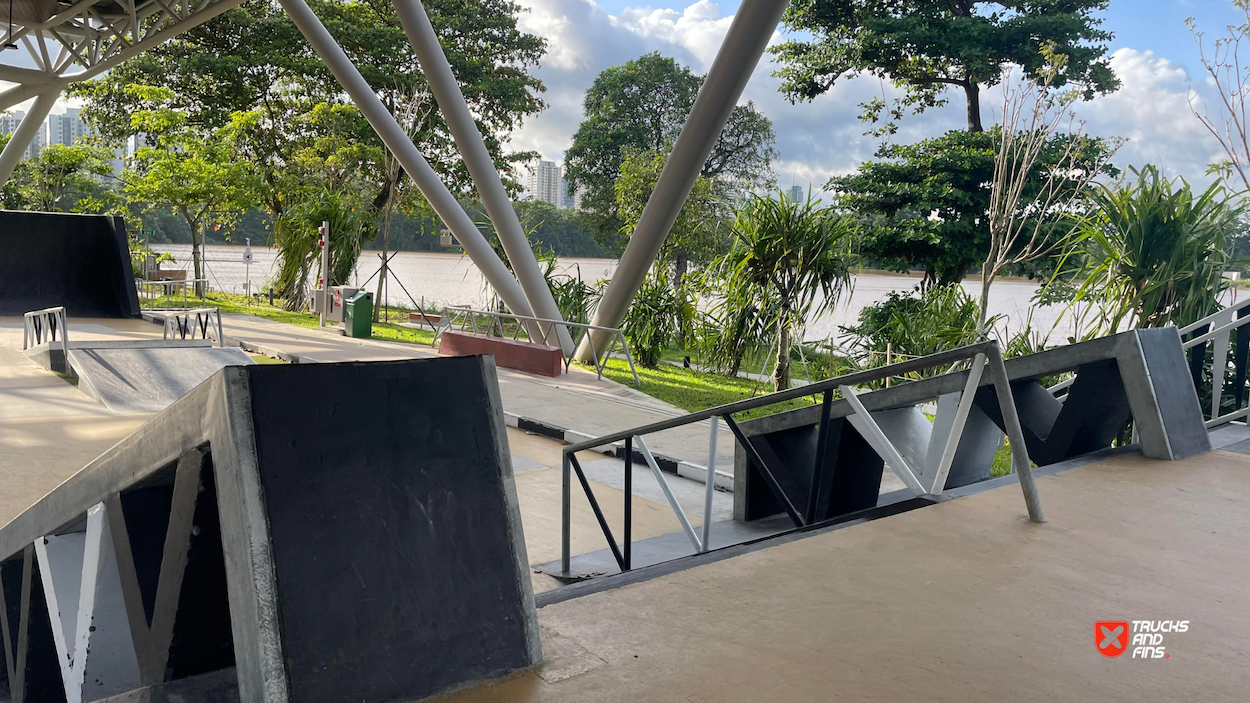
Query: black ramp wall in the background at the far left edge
<point>81,262</point>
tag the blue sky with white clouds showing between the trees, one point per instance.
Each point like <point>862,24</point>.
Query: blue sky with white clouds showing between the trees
<point>1153,54</point>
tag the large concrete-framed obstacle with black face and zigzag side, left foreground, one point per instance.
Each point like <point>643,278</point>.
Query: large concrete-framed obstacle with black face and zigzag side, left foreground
<point>317,534</point>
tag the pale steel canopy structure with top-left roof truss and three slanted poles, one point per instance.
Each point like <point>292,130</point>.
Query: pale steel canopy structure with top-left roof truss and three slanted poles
<point>48,44</point>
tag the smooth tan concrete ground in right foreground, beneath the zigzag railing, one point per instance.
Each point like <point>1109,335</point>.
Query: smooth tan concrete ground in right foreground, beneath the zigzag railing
<point>963,601</point>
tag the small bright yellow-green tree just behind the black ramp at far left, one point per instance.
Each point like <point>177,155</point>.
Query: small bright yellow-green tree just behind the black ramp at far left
<point>188,171</point>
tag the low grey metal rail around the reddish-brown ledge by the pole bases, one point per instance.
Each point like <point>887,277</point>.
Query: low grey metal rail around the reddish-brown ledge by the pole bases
<point>539,331</point>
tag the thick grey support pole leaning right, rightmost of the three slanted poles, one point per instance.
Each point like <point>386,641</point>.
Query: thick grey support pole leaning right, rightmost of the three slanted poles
<point>748,37</point>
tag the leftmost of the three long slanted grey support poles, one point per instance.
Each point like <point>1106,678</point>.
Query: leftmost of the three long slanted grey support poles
<point>393,136</point>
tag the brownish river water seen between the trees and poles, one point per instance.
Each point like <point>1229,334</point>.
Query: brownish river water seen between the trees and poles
<point>451,280</point>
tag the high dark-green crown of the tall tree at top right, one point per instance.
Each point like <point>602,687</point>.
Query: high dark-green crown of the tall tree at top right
<point>929,47</point>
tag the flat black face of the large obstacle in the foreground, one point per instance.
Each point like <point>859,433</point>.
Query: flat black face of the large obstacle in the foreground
<point>396,547</point>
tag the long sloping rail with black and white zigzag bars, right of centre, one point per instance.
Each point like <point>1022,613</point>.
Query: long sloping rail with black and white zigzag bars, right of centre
<point>977,353</point>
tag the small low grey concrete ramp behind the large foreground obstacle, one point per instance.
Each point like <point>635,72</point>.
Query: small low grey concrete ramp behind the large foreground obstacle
<point>149,380</point>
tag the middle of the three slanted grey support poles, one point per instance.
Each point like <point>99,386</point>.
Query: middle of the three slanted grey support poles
<point>482,167</point>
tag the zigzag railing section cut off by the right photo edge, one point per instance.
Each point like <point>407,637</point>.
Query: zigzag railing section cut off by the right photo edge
<point>1217,330</point>
